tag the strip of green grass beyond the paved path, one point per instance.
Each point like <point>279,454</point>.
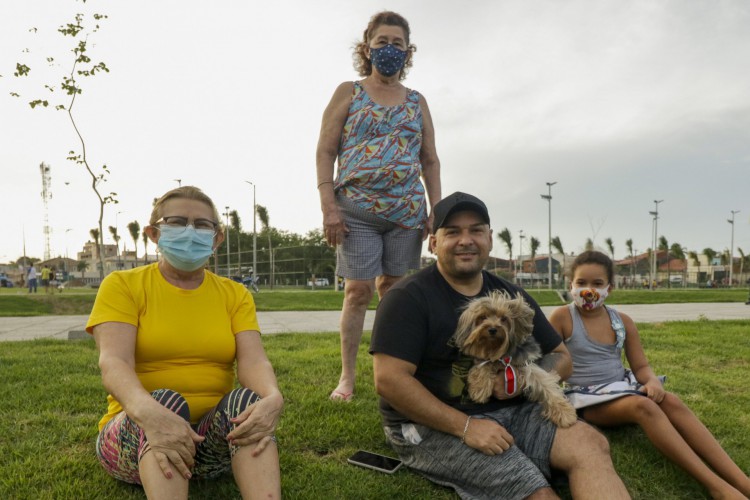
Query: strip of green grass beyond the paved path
<point>17,302</point>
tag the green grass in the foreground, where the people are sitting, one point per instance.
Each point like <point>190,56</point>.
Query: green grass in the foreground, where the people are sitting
<point>52,398</point>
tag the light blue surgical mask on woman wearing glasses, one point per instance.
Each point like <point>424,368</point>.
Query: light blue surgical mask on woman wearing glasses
<point>185,248</point>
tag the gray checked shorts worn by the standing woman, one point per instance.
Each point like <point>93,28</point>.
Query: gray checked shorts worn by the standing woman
<point>374,246</point>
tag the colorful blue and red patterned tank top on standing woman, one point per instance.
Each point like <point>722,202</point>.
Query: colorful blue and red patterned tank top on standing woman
<point>379,168</point>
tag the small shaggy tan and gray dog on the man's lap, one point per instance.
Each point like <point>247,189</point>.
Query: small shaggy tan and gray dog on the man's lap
<point>496,331</point>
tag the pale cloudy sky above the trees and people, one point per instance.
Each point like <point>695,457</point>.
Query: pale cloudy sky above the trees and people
<point>619,103</point>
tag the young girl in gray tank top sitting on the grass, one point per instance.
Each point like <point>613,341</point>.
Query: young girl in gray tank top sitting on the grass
<point>595,336</point>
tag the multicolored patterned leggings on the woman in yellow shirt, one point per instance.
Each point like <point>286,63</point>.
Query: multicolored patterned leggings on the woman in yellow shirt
<point>121,443</point>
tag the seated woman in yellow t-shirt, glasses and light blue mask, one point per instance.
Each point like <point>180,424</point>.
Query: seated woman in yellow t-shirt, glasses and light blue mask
<point>169,336</point>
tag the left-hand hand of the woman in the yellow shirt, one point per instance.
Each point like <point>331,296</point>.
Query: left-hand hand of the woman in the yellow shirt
<point>172,441</point>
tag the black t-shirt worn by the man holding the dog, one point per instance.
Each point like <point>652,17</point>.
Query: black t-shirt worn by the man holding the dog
<point>415,322</point>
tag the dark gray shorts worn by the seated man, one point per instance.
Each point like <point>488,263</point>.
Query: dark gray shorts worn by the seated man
<point>516,473</point>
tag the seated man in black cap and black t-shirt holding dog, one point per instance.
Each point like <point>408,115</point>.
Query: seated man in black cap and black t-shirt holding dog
<point>500,449</point>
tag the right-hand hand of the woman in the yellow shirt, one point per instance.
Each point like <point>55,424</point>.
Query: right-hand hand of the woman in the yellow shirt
<point>257,423</point>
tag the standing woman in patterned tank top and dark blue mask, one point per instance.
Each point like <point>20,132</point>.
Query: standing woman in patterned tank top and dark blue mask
<point>375,211</point>
